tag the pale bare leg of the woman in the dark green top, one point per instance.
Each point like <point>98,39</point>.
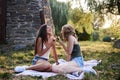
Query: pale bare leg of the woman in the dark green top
<point>67,67</point>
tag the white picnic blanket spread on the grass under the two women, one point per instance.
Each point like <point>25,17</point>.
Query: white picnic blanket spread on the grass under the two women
<point>90,63</point>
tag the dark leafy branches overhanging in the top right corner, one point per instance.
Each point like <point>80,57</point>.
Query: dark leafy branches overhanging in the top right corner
<point>112,6</point>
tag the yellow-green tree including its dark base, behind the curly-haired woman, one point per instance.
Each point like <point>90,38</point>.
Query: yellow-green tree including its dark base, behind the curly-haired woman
<point>82,22</point>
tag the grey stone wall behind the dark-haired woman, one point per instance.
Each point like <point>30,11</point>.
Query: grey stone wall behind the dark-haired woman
<point>23,20</point>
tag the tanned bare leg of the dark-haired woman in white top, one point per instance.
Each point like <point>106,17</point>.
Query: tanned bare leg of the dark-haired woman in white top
<point>41,65</point>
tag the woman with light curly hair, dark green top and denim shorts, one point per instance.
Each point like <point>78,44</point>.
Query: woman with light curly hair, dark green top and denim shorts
<point>74,55</point>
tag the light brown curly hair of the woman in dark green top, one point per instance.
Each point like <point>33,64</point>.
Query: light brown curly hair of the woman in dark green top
<point>68,30</point>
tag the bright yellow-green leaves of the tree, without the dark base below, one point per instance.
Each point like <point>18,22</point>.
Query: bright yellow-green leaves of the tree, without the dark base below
<point>81,21</point>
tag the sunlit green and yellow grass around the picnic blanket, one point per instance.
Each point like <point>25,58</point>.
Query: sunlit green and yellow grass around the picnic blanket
<point>108,69</point>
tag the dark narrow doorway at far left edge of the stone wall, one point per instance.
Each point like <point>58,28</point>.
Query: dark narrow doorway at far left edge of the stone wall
<point>2,21</point>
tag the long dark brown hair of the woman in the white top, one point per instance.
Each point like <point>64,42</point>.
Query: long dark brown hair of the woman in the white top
<point>42,33</point>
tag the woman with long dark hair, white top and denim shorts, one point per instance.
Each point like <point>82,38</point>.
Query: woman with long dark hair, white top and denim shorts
<point>44,43</point>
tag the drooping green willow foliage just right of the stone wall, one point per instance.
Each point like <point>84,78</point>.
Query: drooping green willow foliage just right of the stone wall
<point>59,14</point>
